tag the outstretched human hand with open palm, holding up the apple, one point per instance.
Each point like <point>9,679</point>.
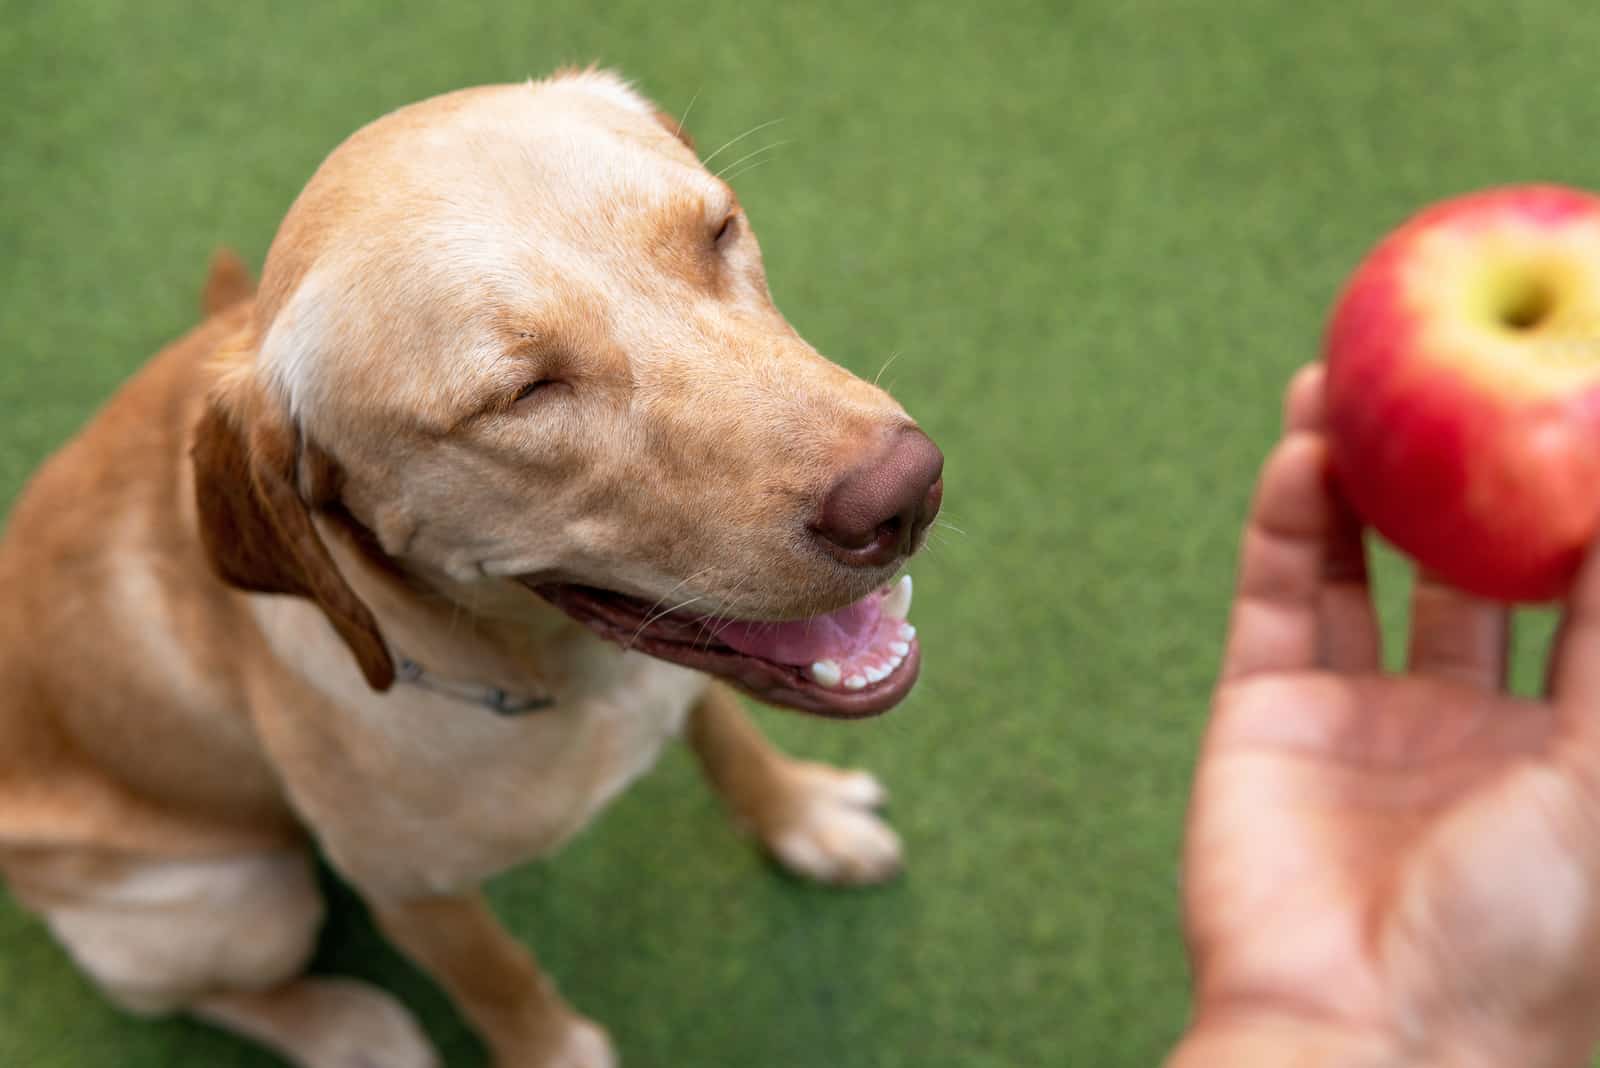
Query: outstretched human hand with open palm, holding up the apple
<point>1388,869</point>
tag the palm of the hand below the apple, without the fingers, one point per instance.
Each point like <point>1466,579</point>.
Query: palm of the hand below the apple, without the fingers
<point>1391,853</point>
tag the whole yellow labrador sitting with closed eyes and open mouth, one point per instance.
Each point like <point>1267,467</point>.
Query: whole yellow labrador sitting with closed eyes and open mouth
<point>508,474</point>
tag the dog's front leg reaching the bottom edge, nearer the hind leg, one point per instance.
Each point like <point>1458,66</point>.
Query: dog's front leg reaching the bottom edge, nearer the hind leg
<point>495,982</point>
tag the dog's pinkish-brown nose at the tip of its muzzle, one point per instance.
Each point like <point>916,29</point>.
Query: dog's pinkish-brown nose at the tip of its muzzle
<point>878,511</point>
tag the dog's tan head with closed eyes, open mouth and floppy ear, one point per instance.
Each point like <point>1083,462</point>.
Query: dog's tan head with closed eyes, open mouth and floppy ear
<point>519,335</point>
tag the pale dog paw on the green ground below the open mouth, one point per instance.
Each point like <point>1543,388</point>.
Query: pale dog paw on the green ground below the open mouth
<point>830,832</point>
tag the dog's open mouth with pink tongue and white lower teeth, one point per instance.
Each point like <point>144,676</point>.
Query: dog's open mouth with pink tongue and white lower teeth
<point>852,663</point>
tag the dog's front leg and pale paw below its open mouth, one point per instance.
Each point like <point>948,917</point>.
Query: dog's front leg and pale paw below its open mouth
<point>815,819</point>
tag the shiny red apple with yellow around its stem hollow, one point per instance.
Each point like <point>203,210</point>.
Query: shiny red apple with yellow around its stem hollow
<point>1465,389</point>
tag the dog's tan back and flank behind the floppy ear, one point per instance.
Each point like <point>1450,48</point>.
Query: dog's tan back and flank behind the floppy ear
<point>122,714</point>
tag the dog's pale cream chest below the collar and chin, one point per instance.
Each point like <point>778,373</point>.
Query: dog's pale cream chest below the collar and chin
<point>415,792</point>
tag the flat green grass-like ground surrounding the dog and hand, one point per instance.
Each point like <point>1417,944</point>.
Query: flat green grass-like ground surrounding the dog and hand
<point>1100,237</point>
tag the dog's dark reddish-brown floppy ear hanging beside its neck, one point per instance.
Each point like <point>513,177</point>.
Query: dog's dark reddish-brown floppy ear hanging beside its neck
<point>258,530</point>
